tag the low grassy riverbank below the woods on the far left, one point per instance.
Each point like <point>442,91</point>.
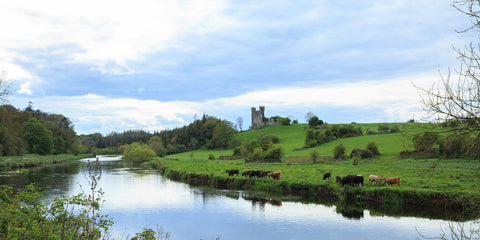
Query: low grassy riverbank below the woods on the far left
<point>32,160</point>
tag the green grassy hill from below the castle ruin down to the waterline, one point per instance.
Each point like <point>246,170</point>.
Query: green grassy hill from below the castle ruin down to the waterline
<point>452,183</point>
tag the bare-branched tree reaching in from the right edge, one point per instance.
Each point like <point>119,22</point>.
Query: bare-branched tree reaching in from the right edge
<point>458,97</point>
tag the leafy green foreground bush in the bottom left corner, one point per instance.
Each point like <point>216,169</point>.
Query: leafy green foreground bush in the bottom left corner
<point>23,214</point>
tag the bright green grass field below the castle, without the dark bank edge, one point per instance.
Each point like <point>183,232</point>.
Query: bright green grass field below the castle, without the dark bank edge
<point>455,177</point>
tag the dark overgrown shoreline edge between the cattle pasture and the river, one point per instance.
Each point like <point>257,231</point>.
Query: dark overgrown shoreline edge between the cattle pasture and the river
<point>389,201</point>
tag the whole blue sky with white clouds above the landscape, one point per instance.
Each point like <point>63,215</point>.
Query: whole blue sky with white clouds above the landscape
<point>160,64</point>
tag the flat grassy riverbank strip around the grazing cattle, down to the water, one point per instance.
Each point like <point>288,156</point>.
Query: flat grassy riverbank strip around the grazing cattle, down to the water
<point>452,186</point>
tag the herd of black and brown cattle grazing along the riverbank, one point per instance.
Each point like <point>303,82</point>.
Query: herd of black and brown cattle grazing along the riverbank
<point>352,180</point>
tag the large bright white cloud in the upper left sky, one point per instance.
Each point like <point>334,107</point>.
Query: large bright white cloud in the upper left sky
<point>104,32</point>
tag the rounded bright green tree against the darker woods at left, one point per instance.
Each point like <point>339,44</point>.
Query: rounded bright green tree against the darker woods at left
<point>38,138</point>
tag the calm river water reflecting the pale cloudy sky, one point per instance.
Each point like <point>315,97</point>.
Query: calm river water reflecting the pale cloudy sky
<point>137,198</point>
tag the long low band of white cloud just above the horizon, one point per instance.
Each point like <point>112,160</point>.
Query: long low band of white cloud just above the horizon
<point>93,113</point>
